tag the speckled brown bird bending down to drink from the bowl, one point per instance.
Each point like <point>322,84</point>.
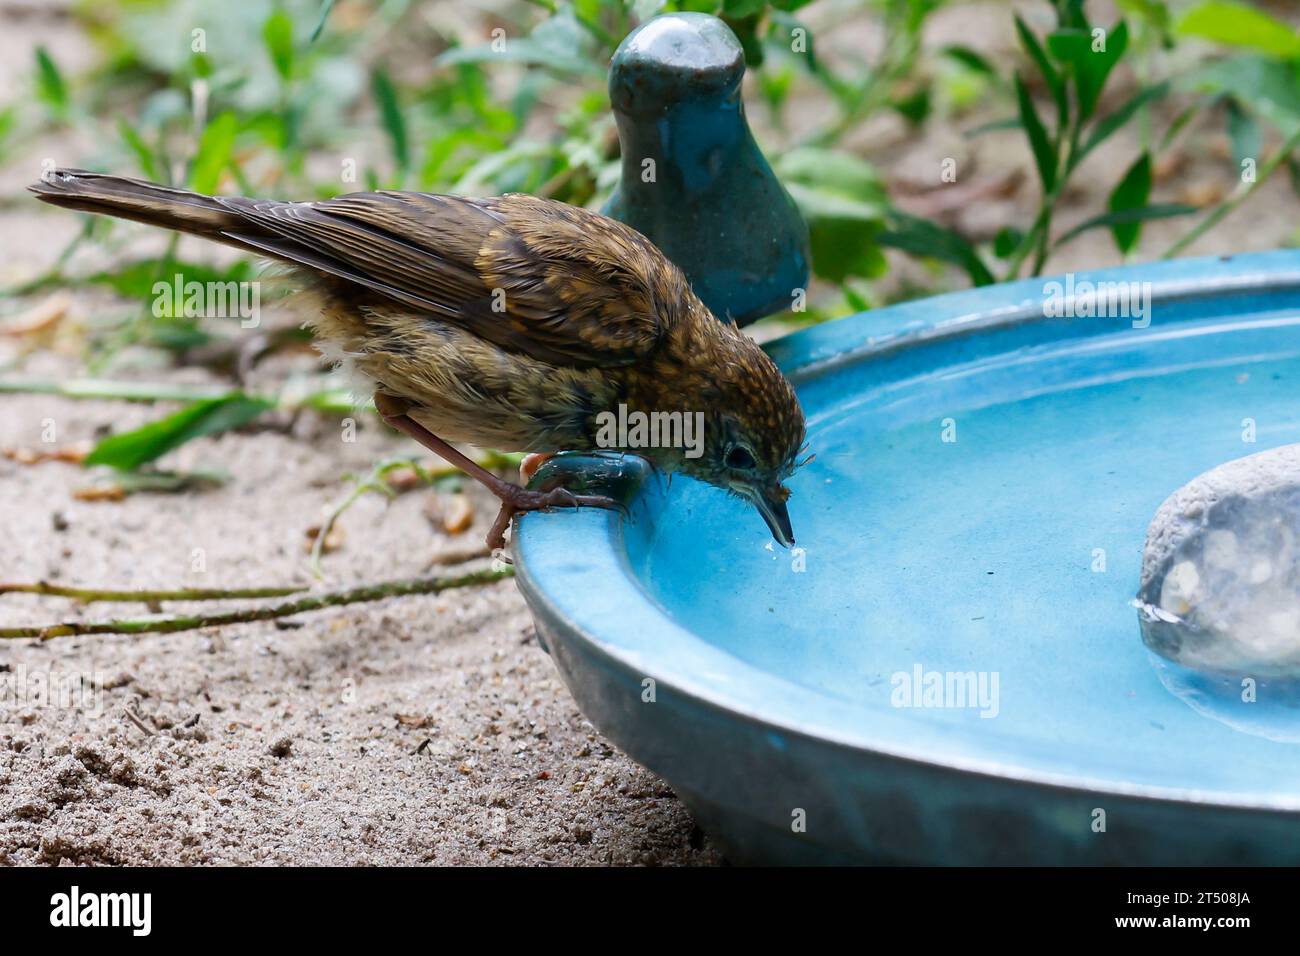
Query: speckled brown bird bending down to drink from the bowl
<point>514,323</point>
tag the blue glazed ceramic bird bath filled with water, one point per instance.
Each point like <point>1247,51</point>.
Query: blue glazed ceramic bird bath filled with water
<point>951,672</point>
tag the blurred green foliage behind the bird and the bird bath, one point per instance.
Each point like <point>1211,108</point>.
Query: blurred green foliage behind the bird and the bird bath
<point>930,144</point>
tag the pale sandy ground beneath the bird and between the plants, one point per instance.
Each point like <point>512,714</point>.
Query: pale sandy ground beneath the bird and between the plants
<point>417,730</point>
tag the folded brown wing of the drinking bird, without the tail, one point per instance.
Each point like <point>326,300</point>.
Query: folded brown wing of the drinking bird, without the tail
<point>535,276</point>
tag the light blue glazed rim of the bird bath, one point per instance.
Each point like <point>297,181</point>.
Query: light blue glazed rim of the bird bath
<point>577,577</point>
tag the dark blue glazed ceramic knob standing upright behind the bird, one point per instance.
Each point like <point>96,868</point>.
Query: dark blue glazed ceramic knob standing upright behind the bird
<point>694,180</point>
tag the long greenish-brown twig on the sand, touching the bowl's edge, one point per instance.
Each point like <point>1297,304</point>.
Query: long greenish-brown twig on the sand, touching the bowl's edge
<point>193,622</point>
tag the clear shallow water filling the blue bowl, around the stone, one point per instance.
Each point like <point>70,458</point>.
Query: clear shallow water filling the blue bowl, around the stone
<point>976,521</point>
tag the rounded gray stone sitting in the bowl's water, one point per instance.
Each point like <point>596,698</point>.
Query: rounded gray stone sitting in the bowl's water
<point>1221,570</point>
